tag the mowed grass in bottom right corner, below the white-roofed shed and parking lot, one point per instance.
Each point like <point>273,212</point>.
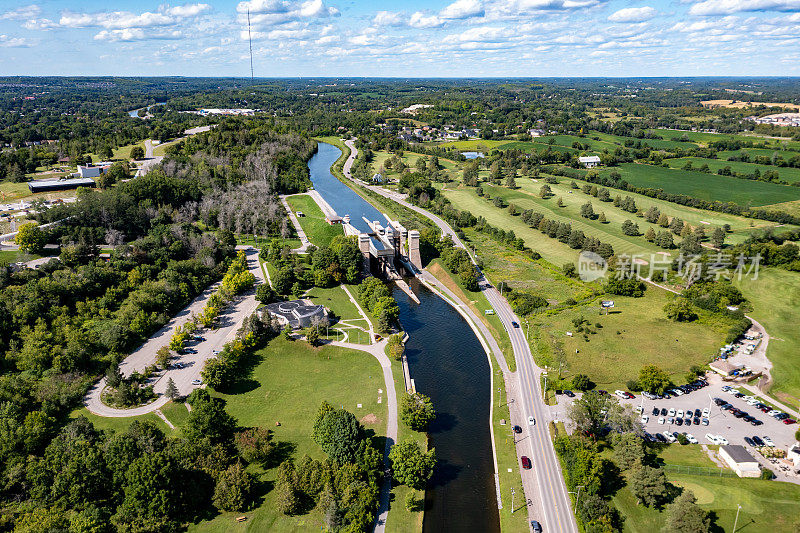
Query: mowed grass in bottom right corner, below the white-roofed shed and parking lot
<point>766,505</point>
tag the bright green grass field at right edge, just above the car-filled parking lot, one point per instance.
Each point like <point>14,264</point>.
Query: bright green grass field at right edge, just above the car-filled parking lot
<point>775,297</point>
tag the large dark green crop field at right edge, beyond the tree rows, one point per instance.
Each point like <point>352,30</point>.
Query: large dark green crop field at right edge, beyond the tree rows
<point>707,186</point>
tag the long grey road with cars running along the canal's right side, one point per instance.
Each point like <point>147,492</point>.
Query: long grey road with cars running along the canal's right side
<point>545,479</point>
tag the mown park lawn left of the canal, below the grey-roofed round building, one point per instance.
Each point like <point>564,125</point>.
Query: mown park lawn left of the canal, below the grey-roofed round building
<point>288,386</point>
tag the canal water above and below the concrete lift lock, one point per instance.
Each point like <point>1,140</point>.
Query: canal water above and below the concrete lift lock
<point>447,363</point>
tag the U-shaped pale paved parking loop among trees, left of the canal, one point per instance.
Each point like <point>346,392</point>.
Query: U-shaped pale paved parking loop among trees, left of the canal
<point>229,322</point>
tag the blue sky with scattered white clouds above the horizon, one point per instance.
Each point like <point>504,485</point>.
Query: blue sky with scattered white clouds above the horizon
<point>402,38</point>
